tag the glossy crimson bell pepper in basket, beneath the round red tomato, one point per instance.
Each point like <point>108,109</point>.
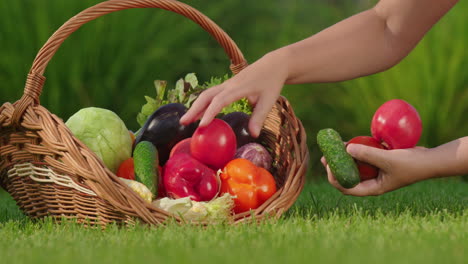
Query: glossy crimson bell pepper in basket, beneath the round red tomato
<point>184,176</point>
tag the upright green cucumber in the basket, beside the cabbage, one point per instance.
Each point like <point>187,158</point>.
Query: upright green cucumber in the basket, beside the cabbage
<point>145,158</point>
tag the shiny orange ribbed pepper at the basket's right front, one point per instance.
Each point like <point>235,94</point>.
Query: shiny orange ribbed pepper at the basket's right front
<point>251,185</point>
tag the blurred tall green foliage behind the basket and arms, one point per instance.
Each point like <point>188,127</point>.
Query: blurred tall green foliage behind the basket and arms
<point>111,62</point>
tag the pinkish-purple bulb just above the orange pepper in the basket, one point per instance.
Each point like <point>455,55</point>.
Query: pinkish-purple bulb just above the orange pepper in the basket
<point>256,153</point>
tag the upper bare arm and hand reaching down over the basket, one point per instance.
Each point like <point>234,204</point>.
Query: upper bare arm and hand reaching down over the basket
<point>366,43</point>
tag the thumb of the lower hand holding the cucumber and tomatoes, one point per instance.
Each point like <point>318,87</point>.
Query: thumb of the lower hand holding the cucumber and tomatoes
<point>374,156</point>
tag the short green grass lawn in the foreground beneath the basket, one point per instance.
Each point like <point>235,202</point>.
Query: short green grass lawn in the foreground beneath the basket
<point>423,223</point>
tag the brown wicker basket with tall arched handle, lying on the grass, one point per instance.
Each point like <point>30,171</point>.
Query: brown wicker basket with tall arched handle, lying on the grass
<point>51,173</point>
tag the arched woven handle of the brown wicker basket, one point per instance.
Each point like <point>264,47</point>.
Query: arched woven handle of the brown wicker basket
<point>35,79</point>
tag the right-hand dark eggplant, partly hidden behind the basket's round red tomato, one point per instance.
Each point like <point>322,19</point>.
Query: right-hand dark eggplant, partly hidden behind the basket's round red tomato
<point>239,122</point>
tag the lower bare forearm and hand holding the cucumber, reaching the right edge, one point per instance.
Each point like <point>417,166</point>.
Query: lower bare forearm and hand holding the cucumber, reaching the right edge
<point>402,167</point>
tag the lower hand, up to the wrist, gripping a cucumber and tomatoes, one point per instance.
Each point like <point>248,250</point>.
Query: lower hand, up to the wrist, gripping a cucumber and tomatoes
<point>398,168</point>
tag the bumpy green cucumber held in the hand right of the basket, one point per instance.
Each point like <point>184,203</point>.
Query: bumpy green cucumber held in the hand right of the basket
<point>340,162</point>
